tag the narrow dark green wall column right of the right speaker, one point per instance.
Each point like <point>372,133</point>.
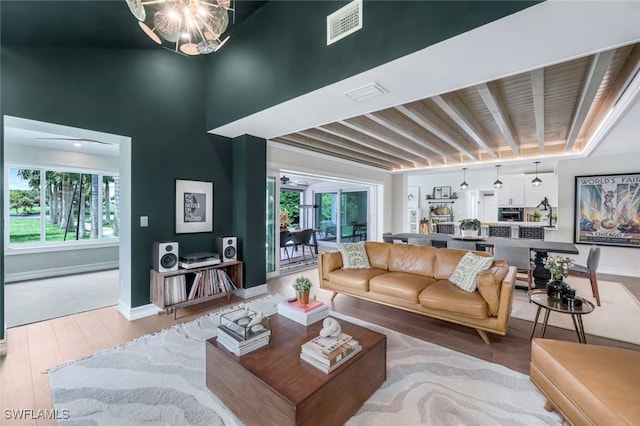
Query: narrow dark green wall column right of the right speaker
<point>249,205</point>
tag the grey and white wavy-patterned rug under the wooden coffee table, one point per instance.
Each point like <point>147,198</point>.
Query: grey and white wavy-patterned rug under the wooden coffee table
<point>159,379</point>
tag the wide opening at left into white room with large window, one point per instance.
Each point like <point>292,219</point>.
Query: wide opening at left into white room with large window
<point>67,221</point>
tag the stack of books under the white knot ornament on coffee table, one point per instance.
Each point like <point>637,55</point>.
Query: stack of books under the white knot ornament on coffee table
<point>328,353</point>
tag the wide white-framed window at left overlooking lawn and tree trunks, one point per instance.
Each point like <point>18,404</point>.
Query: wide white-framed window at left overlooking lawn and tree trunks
<point>64,206</point>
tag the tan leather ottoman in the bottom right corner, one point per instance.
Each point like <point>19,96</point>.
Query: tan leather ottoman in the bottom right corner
<point>588,384</point>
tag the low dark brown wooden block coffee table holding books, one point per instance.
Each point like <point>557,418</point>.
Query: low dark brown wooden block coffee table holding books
<point>272,385</point>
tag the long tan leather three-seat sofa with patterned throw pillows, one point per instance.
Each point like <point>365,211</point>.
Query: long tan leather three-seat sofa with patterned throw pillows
<point>415,278</point>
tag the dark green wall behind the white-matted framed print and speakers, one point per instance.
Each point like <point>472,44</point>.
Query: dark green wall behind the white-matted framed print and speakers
<point>156,98</point>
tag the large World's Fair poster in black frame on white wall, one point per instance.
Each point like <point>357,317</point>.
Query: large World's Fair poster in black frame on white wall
<point>607,210</point>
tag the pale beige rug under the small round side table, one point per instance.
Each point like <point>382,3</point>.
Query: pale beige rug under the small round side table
<point>617,318</point>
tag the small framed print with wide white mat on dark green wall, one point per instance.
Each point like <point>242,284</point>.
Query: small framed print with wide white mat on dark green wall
<point>194,206</point>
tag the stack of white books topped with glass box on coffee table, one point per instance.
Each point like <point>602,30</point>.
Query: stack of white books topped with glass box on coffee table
<point>239,339</point>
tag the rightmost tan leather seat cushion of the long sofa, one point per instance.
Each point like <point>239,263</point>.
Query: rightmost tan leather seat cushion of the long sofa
<point>445,296</point>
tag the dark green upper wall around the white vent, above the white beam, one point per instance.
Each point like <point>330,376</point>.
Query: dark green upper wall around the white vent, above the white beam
<point>281,52</point>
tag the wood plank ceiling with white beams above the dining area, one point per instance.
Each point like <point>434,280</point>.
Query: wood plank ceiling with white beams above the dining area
<point>544,112</point>
